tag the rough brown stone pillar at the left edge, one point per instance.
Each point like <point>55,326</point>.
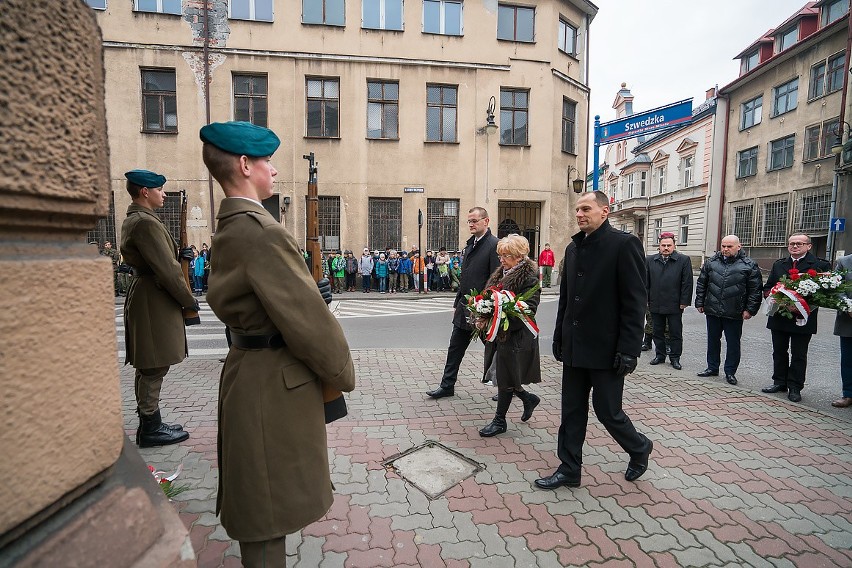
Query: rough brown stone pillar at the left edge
<point>74,490</point>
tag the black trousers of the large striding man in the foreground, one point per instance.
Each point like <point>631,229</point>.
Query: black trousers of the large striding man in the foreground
<point>607,390</point>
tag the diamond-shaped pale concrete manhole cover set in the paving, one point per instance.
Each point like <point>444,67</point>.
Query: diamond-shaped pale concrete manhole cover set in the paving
<point>432,468</point>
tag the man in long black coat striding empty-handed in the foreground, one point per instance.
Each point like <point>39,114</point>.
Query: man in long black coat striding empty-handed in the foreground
<point>598,337</point>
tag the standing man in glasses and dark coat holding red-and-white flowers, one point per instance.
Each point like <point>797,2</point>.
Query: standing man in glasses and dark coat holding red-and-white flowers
<point>788,368</point>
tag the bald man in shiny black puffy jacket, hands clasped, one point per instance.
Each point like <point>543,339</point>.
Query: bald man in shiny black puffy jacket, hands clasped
<point>727,293</point>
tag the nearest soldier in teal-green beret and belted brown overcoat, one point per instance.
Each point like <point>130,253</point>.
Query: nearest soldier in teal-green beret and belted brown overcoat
<point>286,345</point>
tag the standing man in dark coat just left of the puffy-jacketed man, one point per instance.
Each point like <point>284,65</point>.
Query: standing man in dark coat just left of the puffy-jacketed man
<point>669,293</point>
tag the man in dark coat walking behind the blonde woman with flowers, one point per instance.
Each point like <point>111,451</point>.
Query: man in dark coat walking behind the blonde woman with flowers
<point>479,261</point>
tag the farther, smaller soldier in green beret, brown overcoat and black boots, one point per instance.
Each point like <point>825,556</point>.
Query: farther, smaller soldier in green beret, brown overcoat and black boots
<point>155,337</point>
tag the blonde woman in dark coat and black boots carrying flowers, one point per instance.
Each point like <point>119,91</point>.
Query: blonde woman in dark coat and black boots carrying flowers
<point>514,354</point>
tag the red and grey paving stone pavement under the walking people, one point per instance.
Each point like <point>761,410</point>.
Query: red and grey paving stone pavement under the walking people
<point>736,478</point>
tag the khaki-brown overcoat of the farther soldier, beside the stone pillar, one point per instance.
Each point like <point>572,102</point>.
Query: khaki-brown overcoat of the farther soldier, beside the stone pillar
<point>154,330</point>
